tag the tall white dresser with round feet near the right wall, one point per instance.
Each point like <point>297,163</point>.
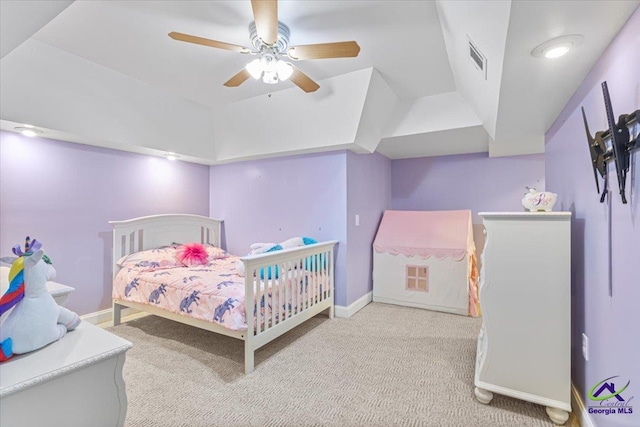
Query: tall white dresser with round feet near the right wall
<point>524,345</point>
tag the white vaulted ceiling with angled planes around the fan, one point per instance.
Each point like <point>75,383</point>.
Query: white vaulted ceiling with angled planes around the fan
<point>106,73</point>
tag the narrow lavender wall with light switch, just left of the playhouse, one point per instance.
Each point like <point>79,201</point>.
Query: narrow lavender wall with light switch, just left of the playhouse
<point>368,195</point>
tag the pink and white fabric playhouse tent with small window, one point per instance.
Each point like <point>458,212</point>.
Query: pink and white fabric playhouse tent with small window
<point>426,259</point>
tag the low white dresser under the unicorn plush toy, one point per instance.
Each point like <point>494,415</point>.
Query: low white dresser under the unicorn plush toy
<point>74,382</point>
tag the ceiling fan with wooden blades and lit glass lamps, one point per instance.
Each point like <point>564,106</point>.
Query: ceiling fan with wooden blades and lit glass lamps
<point>270,40</point>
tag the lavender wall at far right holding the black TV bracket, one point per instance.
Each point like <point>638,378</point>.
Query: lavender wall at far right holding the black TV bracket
<point>612,323</point>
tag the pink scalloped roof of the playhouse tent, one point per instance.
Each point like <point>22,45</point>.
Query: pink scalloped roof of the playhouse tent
<point>442,234</point>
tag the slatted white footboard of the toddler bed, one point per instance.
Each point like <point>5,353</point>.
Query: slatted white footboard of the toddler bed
<point>283,289</point>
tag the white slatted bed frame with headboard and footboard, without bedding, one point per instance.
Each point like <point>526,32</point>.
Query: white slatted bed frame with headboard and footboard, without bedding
<point>159,230</point>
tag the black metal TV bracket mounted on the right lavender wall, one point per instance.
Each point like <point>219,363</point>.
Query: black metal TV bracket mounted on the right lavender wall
<point>614,143</point>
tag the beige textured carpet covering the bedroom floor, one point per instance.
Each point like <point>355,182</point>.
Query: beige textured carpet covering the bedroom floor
<point>386,366</point>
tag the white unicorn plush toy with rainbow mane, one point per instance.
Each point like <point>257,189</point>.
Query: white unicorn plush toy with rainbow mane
<point>36,320</point>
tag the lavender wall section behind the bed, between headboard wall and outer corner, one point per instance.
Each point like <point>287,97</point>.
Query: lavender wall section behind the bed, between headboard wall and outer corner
<point>272,200</point>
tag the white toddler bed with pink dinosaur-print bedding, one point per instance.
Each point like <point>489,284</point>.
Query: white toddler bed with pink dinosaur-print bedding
<point>279,290</point>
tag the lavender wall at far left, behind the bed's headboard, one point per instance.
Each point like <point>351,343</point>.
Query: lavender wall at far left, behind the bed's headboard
<point>63,194</point>
